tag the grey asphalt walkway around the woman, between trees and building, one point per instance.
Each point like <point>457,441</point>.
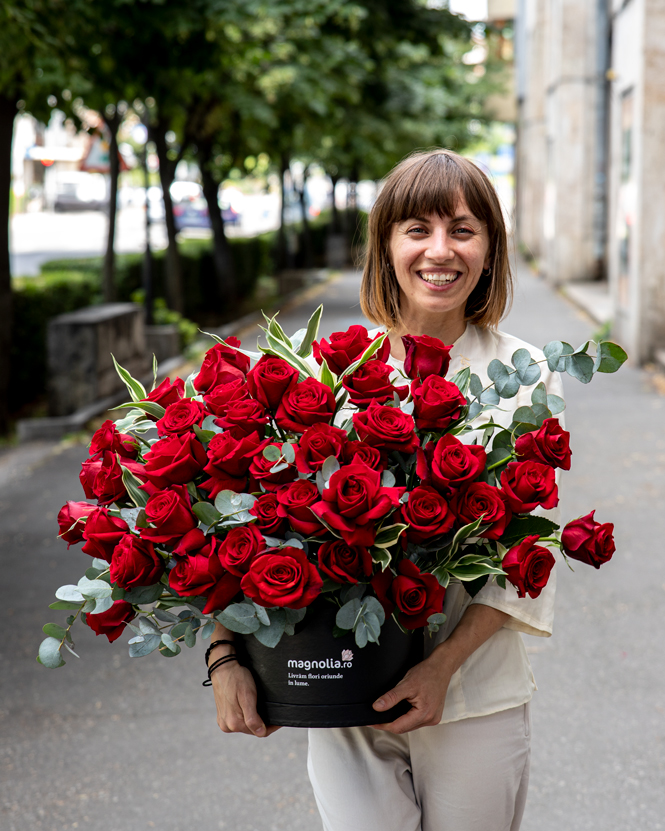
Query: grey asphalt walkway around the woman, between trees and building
<point>113,744</point>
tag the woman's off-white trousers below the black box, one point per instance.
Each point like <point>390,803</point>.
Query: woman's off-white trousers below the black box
<point>468,775</point>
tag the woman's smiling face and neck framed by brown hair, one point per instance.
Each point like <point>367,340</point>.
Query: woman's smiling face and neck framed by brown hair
<point>438,261</point>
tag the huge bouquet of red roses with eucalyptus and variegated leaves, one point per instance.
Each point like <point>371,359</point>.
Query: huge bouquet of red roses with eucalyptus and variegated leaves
<point>315,471</point>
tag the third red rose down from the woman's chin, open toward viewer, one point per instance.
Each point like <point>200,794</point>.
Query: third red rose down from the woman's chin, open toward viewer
<point>450,463</point>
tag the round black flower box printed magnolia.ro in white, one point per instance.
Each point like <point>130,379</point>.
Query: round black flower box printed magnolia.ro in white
<point>313,679</point>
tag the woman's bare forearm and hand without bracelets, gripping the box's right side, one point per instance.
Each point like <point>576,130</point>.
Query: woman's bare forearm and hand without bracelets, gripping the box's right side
<point>425,685</point>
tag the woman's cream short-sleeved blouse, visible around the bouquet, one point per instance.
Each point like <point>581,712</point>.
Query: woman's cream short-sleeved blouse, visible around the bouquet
<point>498,674</point>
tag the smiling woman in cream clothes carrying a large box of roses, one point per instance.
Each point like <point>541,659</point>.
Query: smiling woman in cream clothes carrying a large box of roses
<point>437,265</point>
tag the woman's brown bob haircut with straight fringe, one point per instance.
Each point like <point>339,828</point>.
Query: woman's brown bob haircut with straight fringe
<point>425,184</point>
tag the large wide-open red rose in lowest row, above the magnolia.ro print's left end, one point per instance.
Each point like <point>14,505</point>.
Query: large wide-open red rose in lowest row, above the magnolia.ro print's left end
<point>282,577</point>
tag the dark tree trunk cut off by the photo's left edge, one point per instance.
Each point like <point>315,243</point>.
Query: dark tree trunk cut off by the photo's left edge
<point>7,113</point>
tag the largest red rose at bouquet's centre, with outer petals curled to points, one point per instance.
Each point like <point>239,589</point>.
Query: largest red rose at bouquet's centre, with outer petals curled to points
<point>354,502</point>
